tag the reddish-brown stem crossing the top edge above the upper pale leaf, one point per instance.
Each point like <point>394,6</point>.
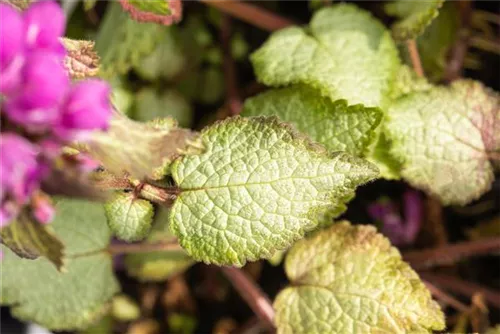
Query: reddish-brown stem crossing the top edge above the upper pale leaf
<point>250,13</point>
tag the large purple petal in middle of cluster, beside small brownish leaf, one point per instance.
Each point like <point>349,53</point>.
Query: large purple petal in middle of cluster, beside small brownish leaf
<point>44,86</point>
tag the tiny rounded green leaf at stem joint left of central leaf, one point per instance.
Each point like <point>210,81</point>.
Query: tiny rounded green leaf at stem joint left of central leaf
<point>129,218</point>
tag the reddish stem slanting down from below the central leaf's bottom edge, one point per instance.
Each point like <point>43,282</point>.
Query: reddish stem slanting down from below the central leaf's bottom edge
<point>252,294</point>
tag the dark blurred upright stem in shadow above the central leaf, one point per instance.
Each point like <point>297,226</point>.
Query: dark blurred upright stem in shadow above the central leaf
<point>233,100</point>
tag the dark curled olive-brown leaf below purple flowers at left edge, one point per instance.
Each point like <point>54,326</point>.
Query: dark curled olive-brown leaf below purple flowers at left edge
<point>30,239</point>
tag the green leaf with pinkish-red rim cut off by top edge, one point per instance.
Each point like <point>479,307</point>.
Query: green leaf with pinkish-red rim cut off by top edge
<point>164,12</point>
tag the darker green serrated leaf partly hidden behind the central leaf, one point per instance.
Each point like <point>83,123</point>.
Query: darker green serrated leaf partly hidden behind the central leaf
<point>333,124</point>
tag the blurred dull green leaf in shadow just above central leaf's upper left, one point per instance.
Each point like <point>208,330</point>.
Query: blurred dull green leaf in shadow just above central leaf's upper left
<point>151,105</point>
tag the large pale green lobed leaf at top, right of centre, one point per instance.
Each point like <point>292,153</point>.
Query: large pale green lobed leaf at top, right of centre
<point>345,53</point>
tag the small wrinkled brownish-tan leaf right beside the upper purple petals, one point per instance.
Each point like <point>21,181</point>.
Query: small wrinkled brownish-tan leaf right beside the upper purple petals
<point>81,60</point>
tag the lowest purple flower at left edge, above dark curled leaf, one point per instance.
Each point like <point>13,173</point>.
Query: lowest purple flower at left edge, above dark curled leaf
<point>20,174</point>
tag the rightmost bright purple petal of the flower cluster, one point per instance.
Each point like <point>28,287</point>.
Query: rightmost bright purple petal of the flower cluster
<point>87,109</point>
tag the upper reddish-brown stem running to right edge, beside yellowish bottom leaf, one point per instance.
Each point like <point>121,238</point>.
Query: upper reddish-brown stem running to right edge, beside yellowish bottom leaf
<point>451,253</point>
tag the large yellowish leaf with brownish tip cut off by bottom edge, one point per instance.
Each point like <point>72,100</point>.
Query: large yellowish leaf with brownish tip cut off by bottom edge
<point>349,279</point>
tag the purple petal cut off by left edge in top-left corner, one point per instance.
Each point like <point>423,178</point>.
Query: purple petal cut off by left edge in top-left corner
<point>11,45</point>
